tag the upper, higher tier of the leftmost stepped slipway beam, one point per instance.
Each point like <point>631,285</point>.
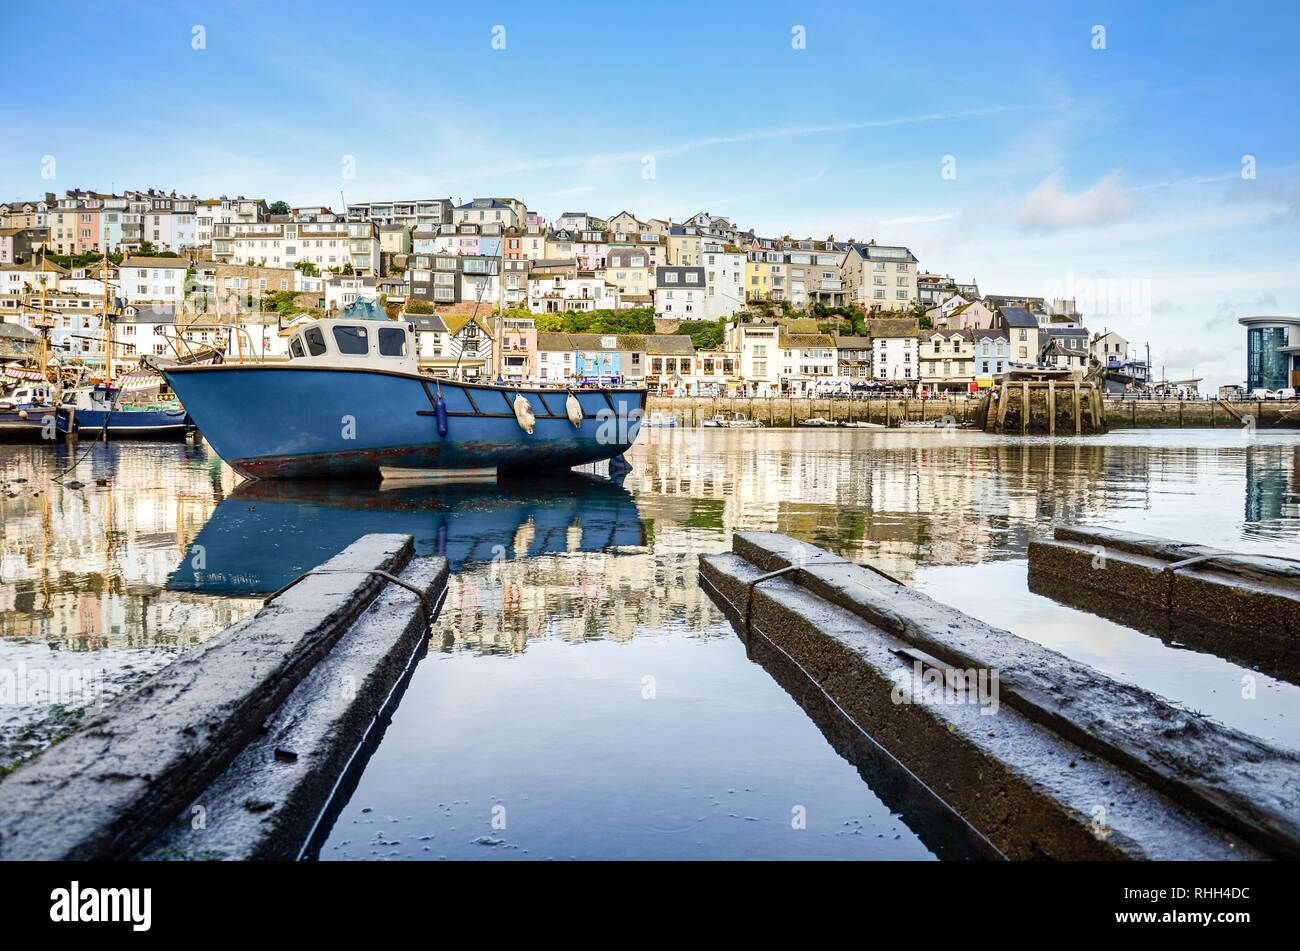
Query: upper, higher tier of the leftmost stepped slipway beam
<point>112,787</point>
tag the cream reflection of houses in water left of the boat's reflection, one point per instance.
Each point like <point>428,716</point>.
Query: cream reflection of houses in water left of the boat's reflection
<point>88,567</point>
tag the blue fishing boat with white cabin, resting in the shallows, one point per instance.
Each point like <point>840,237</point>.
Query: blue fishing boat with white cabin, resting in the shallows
<point>352,402</point>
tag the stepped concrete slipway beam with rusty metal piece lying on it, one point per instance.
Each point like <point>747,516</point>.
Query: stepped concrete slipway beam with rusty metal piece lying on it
<point>1052,761</point>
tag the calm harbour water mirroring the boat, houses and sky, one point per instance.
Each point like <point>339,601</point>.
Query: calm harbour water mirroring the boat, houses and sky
<point>582,696</point>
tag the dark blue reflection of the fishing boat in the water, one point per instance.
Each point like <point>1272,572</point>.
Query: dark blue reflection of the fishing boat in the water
<point>268,533</point>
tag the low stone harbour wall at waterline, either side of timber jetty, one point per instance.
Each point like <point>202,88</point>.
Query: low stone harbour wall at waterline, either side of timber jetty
<point>790,411</point>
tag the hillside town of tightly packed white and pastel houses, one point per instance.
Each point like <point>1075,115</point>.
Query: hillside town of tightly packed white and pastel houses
<point>496,292</point>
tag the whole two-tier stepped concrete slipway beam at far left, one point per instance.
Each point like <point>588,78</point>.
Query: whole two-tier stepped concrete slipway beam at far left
<point>235,750</point>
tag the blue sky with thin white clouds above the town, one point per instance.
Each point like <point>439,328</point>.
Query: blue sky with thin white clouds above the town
<point>1074,167</point>
